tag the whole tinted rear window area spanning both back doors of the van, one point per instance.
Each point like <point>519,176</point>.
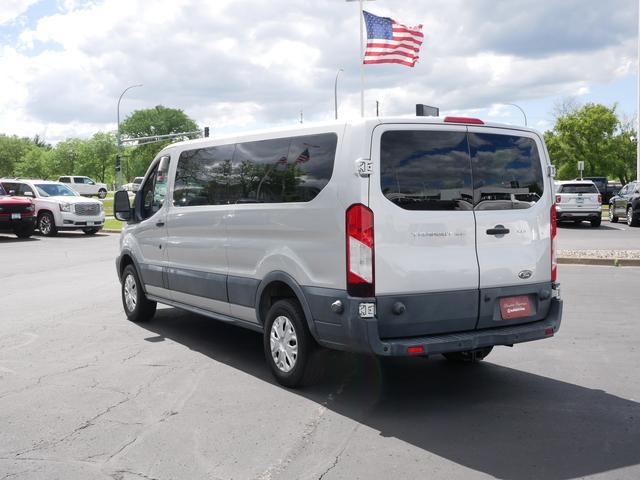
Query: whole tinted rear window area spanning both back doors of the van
<point>443,170</point>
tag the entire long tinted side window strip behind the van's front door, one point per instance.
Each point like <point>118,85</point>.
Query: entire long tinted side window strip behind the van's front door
<point>278,170</point>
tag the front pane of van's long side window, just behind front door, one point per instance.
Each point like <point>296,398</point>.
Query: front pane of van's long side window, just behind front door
<point>203,177</point>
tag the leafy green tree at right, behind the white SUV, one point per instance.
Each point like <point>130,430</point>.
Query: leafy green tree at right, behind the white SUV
<point>594,134</point>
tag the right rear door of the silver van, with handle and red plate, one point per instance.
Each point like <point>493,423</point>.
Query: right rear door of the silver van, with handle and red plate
<point>512,203</point>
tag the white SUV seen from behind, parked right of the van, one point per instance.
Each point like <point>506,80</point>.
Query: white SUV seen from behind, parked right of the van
<point>578,201</point>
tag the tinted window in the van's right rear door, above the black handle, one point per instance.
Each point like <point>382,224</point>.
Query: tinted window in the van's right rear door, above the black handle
<point>506,171</point>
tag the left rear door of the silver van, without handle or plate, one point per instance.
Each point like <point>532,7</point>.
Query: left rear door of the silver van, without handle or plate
<point>424,230</point>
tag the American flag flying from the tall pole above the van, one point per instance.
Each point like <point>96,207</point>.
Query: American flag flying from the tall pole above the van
<point>391,42</point>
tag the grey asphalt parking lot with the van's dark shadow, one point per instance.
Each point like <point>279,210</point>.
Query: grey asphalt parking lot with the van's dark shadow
<point>86,394</point>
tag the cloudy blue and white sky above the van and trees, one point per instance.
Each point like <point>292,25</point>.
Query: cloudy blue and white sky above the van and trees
<point>237,65</point>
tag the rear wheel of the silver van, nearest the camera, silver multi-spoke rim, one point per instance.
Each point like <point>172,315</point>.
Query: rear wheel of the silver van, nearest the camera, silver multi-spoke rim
<point>289,348</point>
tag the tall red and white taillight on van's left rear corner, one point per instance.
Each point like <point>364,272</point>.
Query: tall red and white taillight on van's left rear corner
<point>360,252</point>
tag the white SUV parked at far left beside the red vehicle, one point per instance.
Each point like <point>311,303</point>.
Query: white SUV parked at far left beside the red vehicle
<point>58,207</point>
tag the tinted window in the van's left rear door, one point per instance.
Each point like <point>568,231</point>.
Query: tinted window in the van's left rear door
<point>426,170</point>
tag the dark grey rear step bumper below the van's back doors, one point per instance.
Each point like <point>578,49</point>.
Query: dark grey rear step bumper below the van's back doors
<point>471,340</point>
